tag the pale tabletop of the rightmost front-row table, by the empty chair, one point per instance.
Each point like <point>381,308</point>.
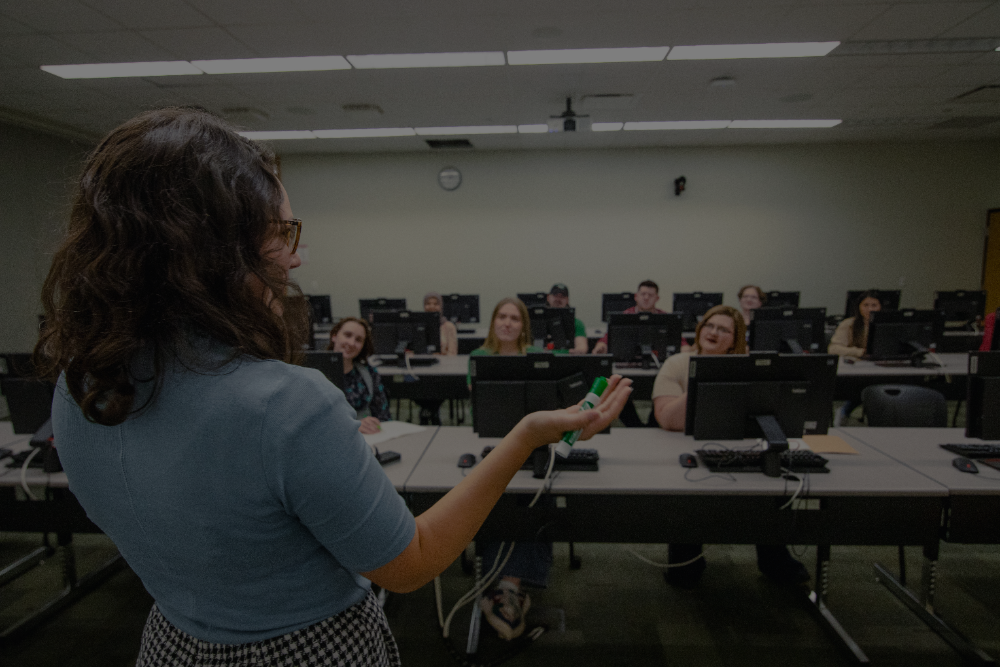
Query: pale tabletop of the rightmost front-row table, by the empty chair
<point>919,449</point>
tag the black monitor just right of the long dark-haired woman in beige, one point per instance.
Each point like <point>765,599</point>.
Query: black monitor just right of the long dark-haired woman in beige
<point>903,334</point>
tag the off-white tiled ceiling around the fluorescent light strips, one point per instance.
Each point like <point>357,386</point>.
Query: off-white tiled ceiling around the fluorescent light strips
<point>879,97</point>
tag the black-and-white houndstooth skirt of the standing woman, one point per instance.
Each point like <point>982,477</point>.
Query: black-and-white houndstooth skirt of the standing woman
<point>359,635</point>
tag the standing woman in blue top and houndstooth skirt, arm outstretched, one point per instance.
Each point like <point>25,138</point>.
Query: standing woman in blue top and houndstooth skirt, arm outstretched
<point>235,484</point>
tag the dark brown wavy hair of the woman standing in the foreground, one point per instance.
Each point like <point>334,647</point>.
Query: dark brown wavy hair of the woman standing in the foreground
<point>164,244</point>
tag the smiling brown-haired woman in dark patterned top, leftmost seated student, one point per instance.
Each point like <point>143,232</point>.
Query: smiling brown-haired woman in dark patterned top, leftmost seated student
<point>363,387</point>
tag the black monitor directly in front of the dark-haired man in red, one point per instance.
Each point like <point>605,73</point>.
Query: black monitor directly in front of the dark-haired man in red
<point>638,337</point>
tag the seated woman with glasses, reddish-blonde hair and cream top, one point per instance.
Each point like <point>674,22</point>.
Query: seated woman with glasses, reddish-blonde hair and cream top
<point>721,331</point>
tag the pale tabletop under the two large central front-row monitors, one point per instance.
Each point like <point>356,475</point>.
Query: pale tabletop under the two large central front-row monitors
<point>645,461</point>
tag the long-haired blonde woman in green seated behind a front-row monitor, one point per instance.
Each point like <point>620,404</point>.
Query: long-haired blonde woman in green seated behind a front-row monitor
<point>506,606</point>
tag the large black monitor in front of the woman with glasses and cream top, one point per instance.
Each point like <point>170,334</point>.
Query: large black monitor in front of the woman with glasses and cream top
<point>760,395</point>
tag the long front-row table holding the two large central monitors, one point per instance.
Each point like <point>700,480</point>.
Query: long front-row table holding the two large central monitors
<point>642,494</point>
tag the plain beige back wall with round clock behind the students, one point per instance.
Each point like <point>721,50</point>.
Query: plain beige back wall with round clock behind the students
<point>820,219</point>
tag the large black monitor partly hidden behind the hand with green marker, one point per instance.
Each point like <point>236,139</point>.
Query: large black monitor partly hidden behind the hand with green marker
<point>506,388</point>
